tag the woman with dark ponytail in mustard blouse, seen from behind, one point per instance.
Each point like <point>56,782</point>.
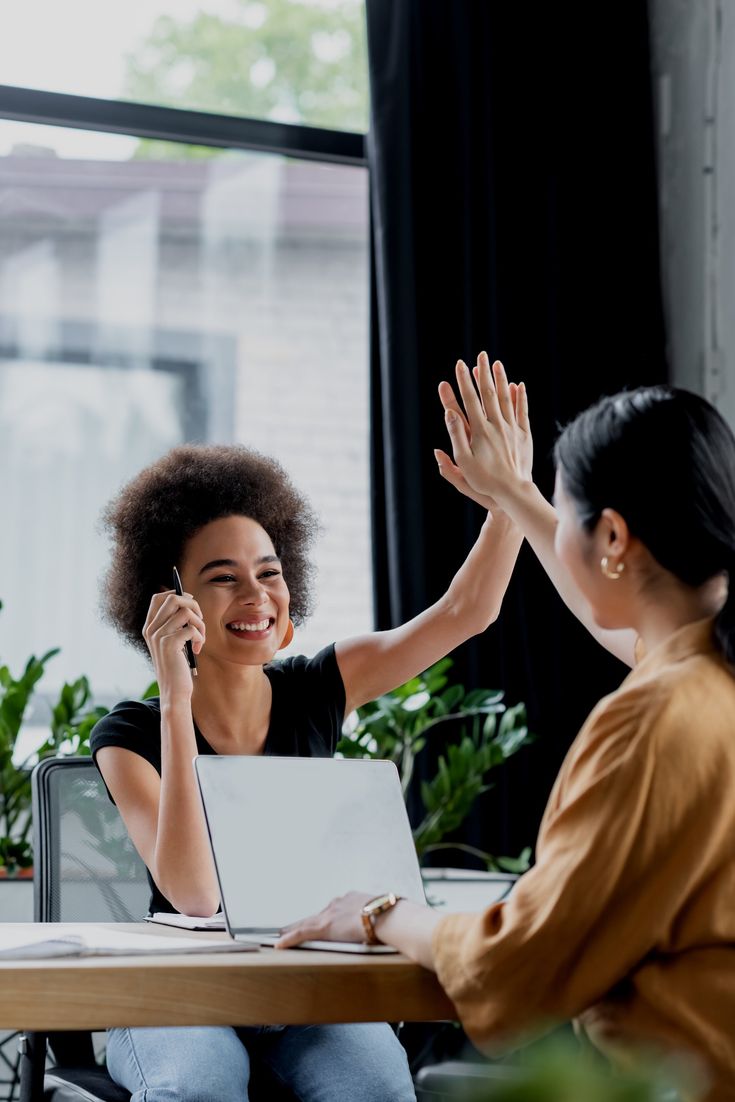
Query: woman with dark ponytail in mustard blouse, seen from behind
<point>628,921</point>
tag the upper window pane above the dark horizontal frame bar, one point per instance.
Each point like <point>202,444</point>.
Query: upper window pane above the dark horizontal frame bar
<point>296,61</point>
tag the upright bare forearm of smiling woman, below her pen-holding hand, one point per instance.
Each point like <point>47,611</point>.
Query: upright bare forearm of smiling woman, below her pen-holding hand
<point>185,870</point>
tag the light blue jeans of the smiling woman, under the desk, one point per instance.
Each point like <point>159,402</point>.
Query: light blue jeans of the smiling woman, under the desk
<point>358,1063</point>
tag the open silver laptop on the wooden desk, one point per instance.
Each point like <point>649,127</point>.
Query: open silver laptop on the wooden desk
<point>289,835</point>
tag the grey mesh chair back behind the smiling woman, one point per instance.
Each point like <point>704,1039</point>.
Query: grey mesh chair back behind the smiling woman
<point>87,869</point>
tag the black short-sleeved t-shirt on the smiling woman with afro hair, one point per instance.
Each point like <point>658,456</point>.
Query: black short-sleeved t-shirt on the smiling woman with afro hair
<point>308,712</point>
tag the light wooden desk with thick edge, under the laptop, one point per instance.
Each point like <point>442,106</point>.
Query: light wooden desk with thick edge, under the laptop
<point>265,988</point>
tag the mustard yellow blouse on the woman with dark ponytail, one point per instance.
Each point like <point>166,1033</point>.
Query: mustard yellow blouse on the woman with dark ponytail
<point>628,921</point>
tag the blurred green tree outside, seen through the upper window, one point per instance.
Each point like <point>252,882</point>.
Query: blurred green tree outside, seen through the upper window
<point>295,61</point>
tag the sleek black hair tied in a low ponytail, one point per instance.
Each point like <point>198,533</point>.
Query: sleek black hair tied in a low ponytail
<point>665,460</point>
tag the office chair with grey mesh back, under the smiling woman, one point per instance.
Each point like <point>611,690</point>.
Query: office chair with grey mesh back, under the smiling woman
<point>87,870</point>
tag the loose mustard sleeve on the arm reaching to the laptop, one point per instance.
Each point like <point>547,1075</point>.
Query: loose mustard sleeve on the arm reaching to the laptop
<point>608,879</point>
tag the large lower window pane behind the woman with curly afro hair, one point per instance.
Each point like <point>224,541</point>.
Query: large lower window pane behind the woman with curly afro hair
<point>157,295</point>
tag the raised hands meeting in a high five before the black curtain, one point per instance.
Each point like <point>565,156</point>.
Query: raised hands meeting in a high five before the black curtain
<point>491,436</point>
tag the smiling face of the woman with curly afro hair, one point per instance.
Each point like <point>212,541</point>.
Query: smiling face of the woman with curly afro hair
<point>232,569</point>
